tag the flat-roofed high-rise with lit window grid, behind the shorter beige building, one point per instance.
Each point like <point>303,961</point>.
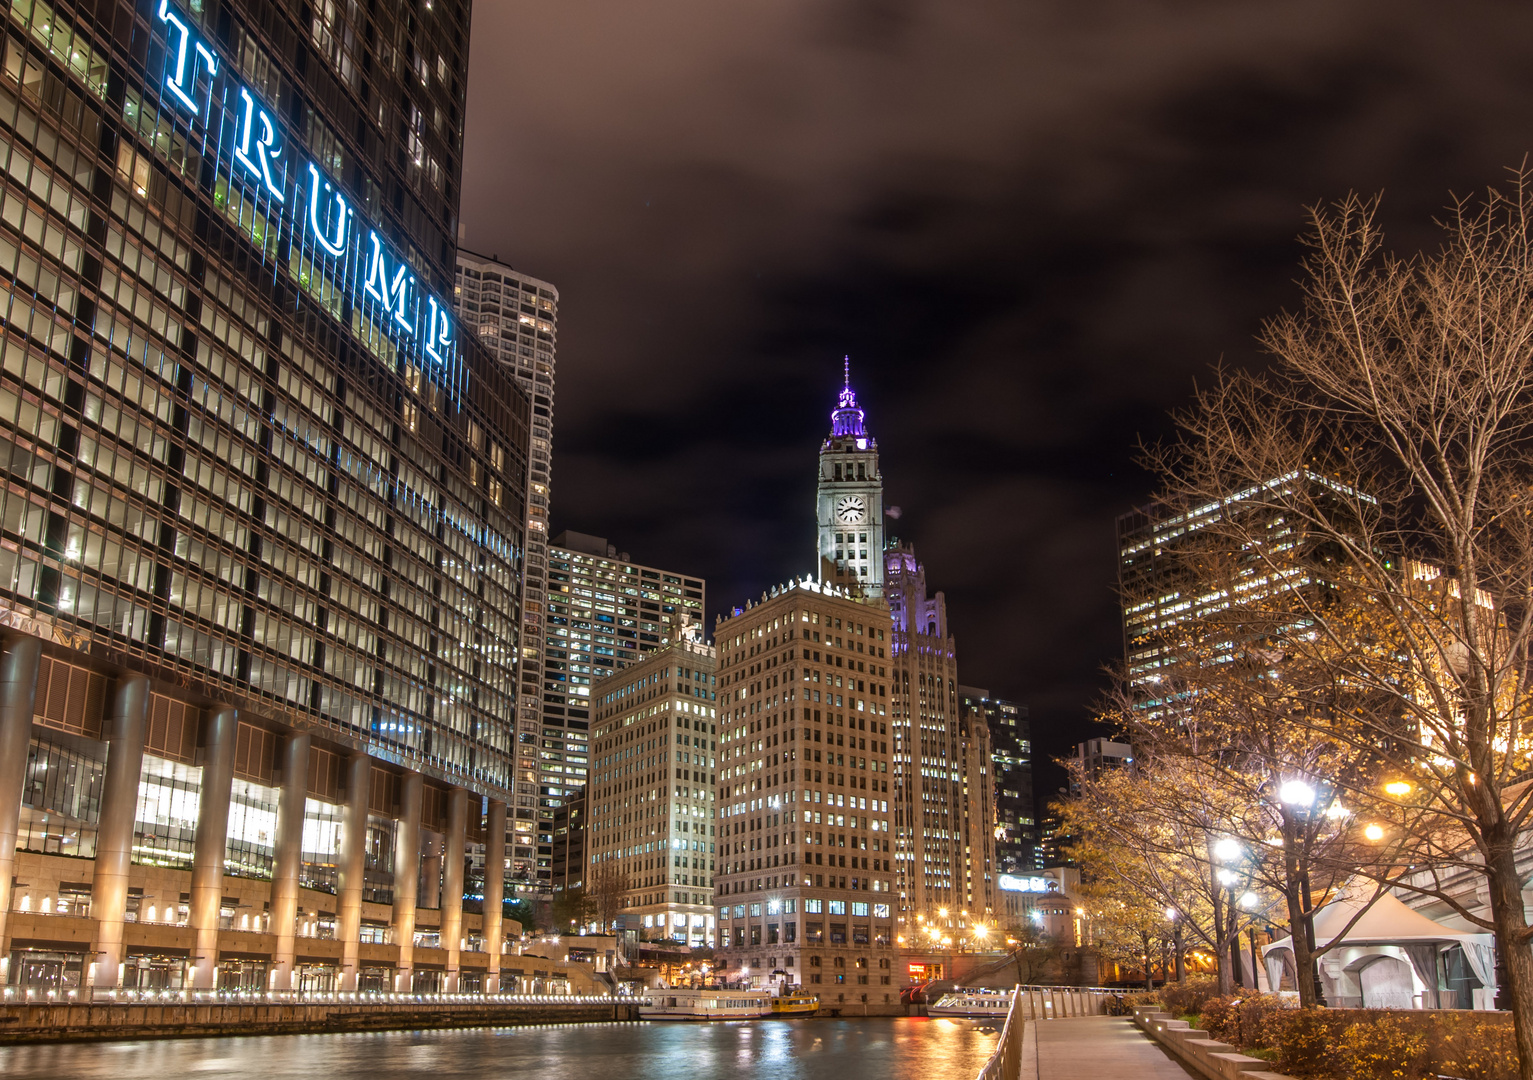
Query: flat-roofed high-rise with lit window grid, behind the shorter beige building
<point>605,614</point>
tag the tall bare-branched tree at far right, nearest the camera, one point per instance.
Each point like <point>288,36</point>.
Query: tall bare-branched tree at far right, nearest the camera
<point>1394,427</point>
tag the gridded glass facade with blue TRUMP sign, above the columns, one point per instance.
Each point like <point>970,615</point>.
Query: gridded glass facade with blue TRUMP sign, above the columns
<point>228,457</point>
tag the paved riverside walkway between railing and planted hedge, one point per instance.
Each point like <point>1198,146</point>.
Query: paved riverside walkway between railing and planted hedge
<point>1094,1049</point>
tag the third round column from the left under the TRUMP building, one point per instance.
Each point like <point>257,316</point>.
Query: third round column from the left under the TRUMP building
<point>211,842</point>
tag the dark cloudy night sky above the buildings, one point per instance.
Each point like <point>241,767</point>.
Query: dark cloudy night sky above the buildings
<point>1032,226</point>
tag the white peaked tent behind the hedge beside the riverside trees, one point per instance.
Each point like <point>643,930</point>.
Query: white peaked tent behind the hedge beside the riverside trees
<point>1393,957</point>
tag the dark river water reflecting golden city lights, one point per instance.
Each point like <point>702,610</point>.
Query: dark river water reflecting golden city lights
<point>905,1049</point>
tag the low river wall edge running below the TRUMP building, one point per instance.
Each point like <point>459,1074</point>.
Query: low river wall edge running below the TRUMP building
<point>65,1024</point>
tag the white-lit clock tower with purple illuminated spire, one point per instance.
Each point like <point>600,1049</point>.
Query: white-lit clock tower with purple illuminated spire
<point>850,500</point>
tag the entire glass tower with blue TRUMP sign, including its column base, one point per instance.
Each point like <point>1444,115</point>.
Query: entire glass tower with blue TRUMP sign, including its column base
<point>263,519</point>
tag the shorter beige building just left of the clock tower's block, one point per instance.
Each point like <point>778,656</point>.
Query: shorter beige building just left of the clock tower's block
<point>652,834</point>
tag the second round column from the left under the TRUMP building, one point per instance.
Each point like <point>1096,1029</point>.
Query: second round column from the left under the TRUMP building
<point>125,762</point>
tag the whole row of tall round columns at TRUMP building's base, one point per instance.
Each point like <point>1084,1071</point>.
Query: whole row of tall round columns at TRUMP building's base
<point>206,932</point>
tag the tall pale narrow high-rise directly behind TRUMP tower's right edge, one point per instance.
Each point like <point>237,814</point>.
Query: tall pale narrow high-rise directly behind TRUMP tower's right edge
<point>514,319</point>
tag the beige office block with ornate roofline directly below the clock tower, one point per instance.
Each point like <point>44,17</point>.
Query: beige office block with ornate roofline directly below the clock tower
<point>806,882</point>
